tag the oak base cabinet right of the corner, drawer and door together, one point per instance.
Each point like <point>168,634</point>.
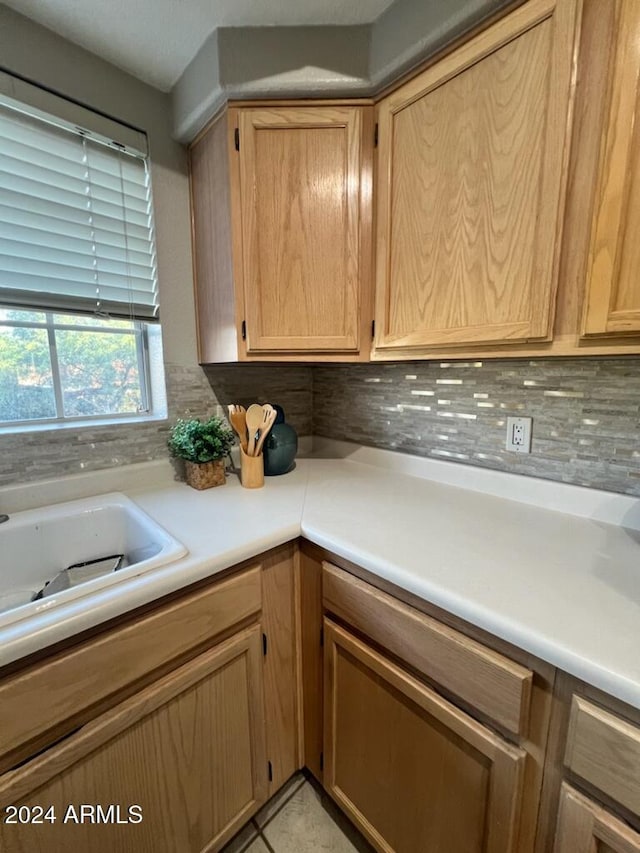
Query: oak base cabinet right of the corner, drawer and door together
<point>433,741</point>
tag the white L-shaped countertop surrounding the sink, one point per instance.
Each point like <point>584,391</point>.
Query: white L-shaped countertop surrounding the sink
<point>563,585</point>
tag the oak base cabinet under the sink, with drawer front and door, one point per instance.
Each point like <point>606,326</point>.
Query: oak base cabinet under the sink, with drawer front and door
<point>188,710</point>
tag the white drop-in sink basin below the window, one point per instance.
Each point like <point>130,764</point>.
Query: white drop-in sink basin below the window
<point>37,545</point>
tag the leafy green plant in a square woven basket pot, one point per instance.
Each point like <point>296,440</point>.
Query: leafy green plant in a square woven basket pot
<point>203,445</point>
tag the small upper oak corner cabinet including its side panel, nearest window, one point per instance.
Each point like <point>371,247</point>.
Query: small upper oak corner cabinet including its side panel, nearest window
<point>282,233</point>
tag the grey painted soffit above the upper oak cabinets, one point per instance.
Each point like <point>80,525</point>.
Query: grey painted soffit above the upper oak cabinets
<point>328,61</point>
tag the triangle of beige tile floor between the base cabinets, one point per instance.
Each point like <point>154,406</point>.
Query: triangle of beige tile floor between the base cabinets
<point>298,819</point>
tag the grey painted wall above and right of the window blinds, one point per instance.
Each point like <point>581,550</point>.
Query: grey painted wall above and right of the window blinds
<point>49,60</point>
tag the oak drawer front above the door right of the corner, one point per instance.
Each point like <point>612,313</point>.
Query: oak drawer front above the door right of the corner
<point>486,680</point>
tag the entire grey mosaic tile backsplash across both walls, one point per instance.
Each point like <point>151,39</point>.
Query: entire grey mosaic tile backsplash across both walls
<point>586,416</point>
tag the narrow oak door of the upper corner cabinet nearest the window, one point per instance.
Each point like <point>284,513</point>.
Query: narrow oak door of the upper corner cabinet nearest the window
<point>305,207</point>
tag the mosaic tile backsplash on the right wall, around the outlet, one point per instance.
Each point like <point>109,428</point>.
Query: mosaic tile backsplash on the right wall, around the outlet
<point>586,414</point>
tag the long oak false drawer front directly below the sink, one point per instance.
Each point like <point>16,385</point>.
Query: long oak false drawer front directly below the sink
<point>74,681</point>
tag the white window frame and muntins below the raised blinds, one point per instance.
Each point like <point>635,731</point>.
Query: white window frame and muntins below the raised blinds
<point>51,326</point>
